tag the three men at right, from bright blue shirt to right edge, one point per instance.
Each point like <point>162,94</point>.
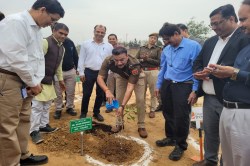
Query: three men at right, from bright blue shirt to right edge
<point>222,68</point>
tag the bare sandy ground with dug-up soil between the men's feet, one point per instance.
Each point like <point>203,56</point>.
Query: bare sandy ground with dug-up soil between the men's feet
<point>64,148</point>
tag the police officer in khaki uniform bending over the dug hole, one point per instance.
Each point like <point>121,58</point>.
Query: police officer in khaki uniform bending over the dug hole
<point>129,77</point>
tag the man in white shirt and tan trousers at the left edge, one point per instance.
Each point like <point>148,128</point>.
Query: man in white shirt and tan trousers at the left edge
<point>21,71</point>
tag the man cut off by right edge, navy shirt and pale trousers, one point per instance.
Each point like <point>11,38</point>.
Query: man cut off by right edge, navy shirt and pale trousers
<point>235,117</point>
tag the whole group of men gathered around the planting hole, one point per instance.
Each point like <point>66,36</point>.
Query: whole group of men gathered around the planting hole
<point>219,70</point>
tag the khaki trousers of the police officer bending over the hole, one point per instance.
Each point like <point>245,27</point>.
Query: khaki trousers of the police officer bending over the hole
<point>121,86</point>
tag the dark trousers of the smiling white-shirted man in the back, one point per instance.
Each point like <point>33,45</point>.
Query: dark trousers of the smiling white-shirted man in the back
<point>90,80</point>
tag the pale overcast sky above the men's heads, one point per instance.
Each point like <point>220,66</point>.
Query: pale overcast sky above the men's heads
<point>128,19</point>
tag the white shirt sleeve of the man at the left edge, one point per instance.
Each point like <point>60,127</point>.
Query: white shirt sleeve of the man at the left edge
<point>16,40</point>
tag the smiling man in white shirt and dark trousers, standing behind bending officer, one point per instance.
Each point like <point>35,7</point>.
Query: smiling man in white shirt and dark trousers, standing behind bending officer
<point>92,54</point>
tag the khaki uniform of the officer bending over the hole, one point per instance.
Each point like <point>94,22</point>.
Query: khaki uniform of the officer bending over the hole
<point>130,73</point>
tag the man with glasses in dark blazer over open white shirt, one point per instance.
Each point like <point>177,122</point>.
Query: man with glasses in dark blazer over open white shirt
<point>219,49</point>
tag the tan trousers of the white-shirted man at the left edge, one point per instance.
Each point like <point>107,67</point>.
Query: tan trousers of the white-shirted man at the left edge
<point>14,121</point>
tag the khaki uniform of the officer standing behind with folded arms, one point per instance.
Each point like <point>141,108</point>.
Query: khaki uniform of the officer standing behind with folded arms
<point>150,66</point>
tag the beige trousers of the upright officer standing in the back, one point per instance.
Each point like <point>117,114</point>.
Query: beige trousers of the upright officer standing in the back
<point>150,80</point>
